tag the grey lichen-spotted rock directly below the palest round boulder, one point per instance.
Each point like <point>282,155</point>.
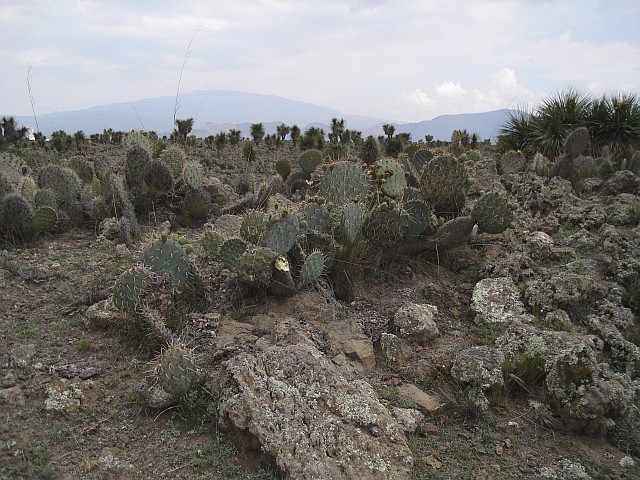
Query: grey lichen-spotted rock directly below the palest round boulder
<point>478,369</point>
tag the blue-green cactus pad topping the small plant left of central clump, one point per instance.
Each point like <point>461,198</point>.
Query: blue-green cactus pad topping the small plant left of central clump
<point>167,257</point>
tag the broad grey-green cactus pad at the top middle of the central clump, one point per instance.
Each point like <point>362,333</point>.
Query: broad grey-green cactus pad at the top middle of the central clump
<point>342,181</point>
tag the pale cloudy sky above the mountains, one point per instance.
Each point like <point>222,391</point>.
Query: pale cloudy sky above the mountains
<point>394,59</point>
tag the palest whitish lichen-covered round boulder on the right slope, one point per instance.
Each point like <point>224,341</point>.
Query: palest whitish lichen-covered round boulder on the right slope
<point>496,300</point>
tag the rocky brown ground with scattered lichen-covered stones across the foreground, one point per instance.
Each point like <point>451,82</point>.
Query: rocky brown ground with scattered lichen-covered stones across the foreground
<point>512,355</point>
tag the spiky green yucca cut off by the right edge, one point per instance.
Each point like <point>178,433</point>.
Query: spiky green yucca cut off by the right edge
<point>614,121</point>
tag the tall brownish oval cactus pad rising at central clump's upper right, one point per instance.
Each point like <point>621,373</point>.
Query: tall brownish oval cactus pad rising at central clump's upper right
<point>442,184</point>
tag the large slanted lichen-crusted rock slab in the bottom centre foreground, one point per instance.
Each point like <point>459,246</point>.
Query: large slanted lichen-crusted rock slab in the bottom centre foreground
<point>313,421</point>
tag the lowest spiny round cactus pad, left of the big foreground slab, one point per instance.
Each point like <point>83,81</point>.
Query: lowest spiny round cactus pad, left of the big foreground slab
<point>177,370</point>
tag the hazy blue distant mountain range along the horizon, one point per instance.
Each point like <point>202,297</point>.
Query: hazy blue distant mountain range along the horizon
<point>221,110</point>
